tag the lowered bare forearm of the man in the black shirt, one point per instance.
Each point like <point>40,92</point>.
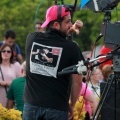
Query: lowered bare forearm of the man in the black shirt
<point>75,92</point>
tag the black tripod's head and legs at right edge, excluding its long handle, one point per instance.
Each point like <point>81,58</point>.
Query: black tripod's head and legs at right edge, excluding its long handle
<point>113,79</point>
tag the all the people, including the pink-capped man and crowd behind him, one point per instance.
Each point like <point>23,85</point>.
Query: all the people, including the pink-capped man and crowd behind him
<point>33,86</point>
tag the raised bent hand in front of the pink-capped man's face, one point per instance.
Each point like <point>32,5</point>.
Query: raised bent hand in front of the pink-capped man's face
<point>76,27</point>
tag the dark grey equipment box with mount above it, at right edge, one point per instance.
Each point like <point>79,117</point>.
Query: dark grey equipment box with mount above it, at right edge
<point>110,31</point>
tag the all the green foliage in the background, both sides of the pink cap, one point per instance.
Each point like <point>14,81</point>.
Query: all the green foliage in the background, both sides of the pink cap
<point>20,15</point>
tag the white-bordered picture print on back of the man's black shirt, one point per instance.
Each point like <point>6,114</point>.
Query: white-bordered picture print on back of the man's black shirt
<point>44,59</point>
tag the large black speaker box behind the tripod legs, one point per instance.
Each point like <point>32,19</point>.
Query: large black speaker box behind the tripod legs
<point>111,106</point>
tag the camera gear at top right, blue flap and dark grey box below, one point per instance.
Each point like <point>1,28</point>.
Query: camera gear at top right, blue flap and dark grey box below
<point>109,30</point>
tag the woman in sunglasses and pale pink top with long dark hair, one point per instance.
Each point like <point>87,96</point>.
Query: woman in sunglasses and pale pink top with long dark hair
<point>9,70</point>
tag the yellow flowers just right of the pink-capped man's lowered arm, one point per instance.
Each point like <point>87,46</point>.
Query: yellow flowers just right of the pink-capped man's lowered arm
<point>79,109</point>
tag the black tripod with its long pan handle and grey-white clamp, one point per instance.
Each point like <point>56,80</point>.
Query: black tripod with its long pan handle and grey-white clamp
<point>78,69</point>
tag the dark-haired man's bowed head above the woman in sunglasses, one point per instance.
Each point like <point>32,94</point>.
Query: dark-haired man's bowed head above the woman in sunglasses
<point>10,37</point>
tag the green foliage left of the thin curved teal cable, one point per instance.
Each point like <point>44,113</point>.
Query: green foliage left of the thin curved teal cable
<point>19,15</point>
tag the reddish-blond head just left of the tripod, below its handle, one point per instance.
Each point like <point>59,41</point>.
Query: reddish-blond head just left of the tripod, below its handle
<point>106,71</point>
